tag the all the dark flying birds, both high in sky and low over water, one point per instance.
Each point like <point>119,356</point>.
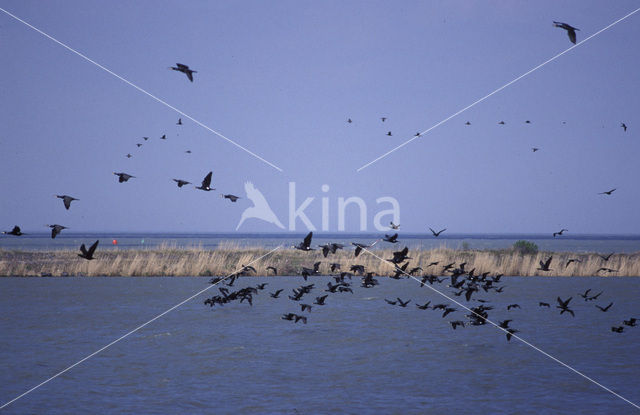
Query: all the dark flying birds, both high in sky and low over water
<point>464,283</point>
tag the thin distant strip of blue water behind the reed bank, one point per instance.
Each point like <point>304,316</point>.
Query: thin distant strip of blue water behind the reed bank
<point>567,243</point>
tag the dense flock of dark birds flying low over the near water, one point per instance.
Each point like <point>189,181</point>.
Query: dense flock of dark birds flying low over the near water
<point>463,282</point>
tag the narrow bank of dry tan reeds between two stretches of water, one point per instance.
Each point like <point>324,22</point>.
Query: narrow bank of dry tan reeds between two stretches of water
<point>171,261</point>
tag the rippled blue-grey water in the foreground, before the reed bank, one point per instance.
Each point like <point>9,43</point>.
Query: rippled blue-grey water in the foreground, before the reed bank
<point>356,355</point>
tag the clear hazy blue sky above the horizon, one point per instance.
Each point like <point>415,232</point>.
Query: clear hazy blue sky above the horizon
<point>281,78</point>
